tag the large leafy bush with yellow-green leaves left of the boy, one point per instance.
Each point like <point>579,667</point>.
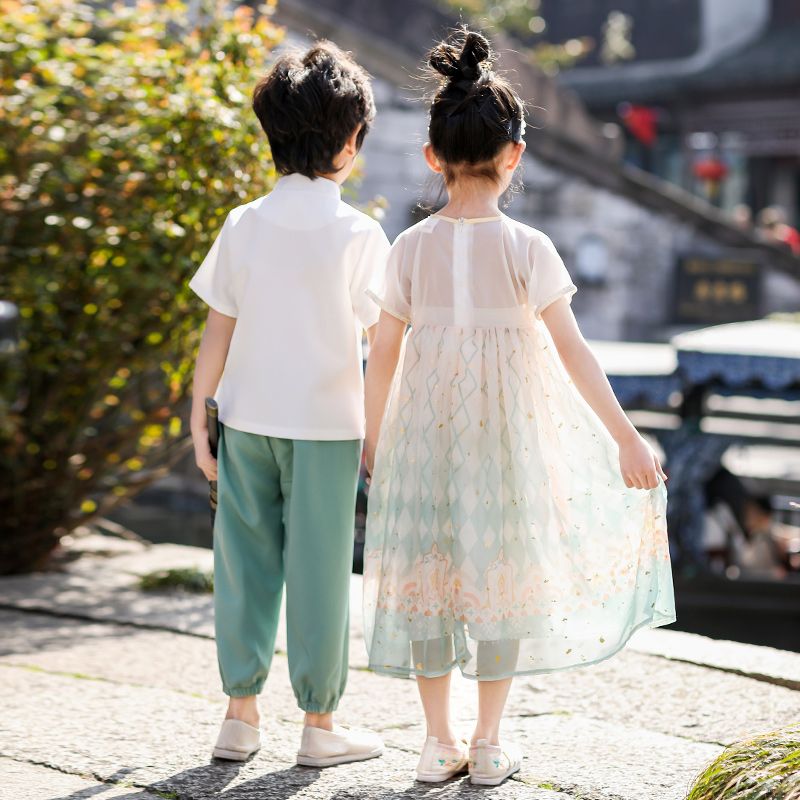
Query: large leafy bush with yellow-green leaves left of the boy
<point>125,136</point>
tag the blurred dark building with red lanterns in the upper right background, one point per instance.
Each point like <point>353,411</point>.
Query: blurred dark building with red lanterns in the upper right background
<point>706,86</point>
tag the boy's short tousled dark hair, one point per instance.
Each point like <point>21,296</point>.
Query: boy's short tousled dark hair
<point>310,104</point>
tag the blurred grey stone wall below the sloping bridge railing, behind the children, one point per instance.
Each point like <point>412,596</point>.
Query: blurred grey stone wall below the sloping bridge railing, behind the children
<point>626,259</point>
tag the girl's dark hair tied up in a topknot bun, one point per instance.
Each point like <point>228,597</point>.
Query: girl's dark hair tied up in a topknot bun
<point>474,112</point>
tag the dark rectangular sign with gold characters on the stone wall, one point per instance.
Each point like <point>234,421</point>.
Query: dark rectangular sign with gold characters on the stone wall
<point>717,290</point>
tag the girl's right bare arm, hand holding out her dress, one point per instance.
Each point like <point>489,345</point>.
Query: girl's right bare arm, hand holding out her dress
<point>638,463</point>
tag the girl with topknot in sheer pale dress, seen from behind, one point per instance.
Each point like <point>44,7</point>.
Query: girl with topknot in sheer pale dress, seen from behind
<point>517,518</point>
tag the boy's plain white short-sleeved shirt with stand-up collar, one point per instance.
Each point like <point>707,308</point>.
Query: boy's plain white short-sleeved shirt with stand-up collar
<point>293,268</point>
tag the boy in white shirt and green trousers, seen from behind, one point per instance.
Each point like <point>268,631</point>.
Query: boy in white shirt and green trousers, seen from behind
<point>285,281</point>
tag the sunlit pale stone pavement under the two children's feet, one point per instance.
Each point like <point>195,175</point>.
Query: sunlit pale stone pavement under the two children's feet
<point>108,692</point>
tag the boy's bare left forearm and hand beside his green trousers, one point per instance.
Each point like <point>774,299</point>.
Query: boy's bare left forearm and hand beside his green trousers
<point>207,372</point>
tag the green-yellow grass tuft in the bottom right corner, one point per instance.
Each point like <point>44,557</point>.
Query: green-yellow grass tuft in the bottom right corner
<point>765,767</point>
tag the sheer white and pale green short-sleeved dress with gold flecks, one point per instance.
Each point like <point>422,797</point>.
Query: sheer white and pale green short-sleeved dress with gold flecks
<point>500,537</point>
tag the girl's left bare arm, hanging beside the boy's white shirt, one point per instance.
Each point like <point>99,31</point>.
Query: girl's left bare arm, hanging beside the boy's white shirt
<point>381,365</point>
